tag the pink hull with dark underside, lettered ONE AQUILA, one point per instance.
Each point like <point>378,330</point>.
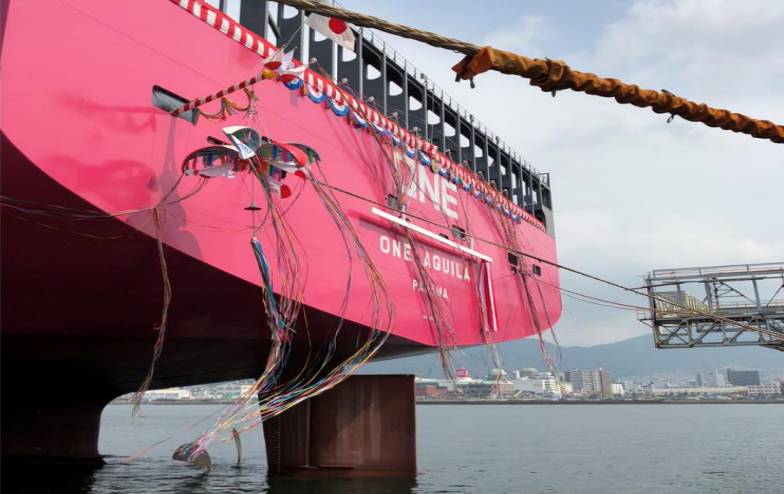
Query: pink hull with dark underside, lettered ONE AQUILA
<point>79,131</point>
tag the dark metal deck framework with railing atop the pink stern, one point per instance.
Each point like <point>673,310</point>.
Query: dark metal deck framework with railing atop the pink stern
<point>417,104</point>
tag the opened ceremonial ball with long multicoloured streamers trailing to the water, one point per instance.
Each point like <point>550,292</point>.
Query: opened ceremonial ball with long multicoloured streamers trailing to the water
<point>271,162</point>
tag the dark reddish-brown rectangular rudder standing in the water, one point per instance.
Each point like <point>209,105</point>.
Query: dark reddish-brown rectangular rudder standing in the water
<point>363,427</point>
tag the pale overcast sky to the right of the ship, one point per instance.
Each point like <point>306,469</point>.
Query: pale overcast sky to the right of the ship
<point>631,192</point>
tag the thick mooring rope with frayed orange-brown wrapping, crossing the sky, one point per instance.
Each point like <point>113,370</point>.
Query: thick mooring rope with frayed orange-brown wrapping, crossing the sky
<point>553,75</point>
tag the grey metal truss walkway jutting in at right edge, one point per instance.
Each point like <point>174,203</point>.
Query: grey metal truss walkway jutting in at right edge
<point>712,306</point>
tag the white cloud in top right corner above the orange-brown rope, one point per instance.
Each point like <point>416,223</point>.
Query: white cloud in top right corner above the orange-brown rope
<point>721,50</point>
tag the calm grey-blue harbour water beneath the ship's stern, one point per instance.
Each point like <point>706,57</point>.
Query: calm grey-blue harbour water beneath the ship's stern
<point>467,449</point>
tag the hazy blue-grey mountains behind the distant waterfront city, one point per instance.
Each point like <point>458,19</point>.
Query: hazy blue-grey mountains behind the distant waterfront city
<point>633,357</point>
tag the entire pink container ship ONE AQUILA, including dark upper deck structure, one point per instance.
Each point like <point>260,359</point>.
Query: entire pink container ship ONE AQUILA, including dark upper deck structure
<point>337,208</point>
